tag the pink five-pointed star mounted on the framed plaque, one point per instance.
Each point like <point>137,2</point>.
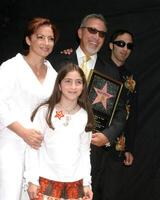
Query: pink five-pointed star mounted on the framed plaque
<point>102,96</point>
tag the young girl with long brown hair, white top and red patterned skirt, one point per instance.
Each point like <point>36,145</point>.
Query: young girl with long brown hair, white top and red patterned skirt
<point>60,169</point>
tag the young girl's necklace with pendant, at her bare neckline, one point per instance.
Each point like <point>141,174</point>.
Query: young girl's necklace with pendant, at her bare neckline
<point>66,113</point>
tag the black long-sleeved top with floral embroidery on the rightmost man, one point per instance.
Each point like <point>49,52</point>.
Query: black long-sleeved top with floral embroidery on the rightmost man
<point>129,94</point>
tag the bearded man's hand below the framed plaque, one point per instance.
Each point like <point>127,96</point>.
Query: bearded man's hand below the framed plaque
<point>99,139</point>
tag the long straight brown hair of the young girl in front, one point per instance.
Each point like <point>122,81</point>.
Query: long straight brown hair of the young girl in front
<point>55,98</point>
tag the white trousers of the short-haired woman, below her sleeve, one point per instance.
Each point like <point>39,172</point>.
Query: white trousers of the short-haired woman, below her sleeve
<point>12,151</point>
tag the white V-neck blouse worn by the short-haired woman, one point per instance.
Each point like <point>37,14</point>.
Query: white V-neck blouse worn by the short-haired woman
<point>21,92</point>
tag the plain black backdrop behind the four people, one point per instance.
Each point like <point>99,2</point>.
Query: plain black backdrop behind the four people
<point>142,17</point>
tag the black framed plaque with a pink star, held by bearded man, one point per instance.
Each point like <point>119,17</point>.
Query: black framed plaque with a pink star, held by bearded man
<point>104,93</point>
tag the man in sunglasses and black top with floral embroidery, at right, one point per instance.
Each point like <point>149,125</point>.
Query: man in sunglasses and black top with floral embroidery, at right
<point>113,170</point>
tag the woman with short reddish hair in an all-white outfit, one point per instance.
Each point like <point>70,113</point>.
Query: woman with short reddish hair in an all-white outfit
<point>25,81</point>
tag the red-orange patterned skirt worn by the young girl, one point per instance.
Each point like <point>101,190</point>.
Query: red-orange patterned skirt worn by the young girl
<point>54,190</point>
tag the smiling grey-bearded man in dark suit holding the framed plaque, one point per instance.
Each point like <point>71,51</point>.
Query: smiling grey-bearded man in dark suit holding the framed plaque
<point>92,33</point>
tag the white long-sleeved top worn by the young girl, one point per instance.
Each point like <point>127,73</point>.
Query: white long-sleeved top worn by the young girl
<point>65,152</point>
